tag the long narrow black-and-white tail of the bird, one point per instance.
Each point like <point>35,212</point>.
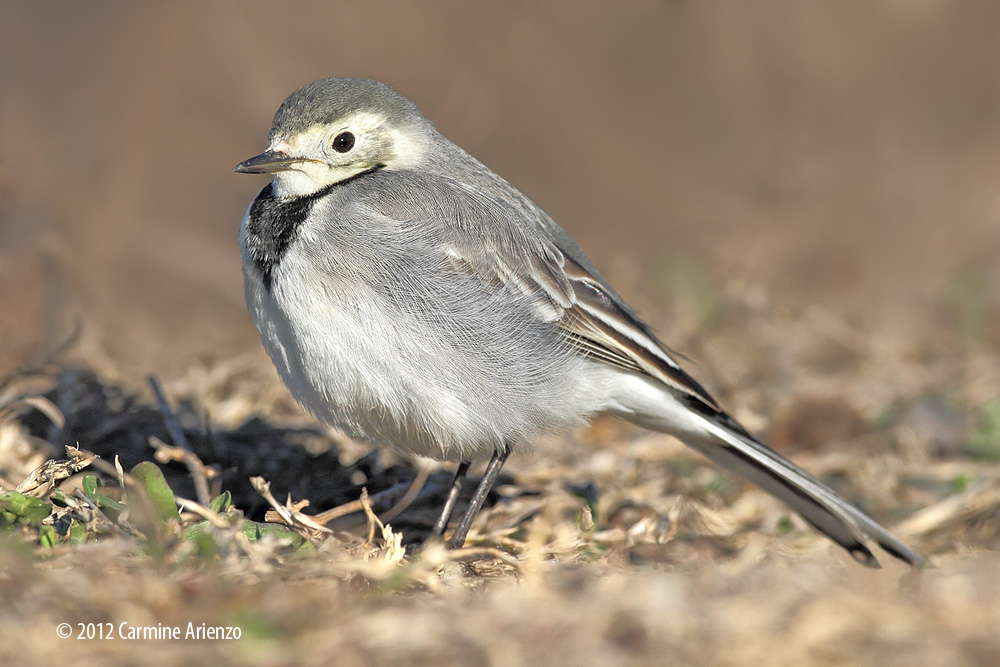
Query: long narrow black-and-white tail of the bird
<point>735,450</point>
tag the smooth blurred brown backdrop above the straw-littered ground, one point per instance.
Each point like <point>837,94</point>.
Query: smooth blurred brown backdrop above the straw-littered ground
<point>840,156</point>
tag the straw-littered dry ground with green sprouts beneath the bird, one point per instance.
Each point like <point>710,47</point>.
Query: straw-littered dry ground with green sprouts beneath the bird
<point>613,546</point>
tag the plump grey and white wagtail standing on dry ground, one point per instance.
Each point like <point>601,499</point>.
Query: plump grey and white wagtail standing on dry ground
<point>412,298</point>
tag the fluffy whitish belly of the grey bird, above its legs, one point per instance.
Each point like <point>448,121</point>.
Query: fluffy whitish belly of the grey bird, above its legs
<point>392,378</point>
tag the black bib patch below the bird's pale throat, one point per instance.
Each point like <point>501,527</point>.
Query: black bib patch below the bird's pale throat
<point>273,225</point>
